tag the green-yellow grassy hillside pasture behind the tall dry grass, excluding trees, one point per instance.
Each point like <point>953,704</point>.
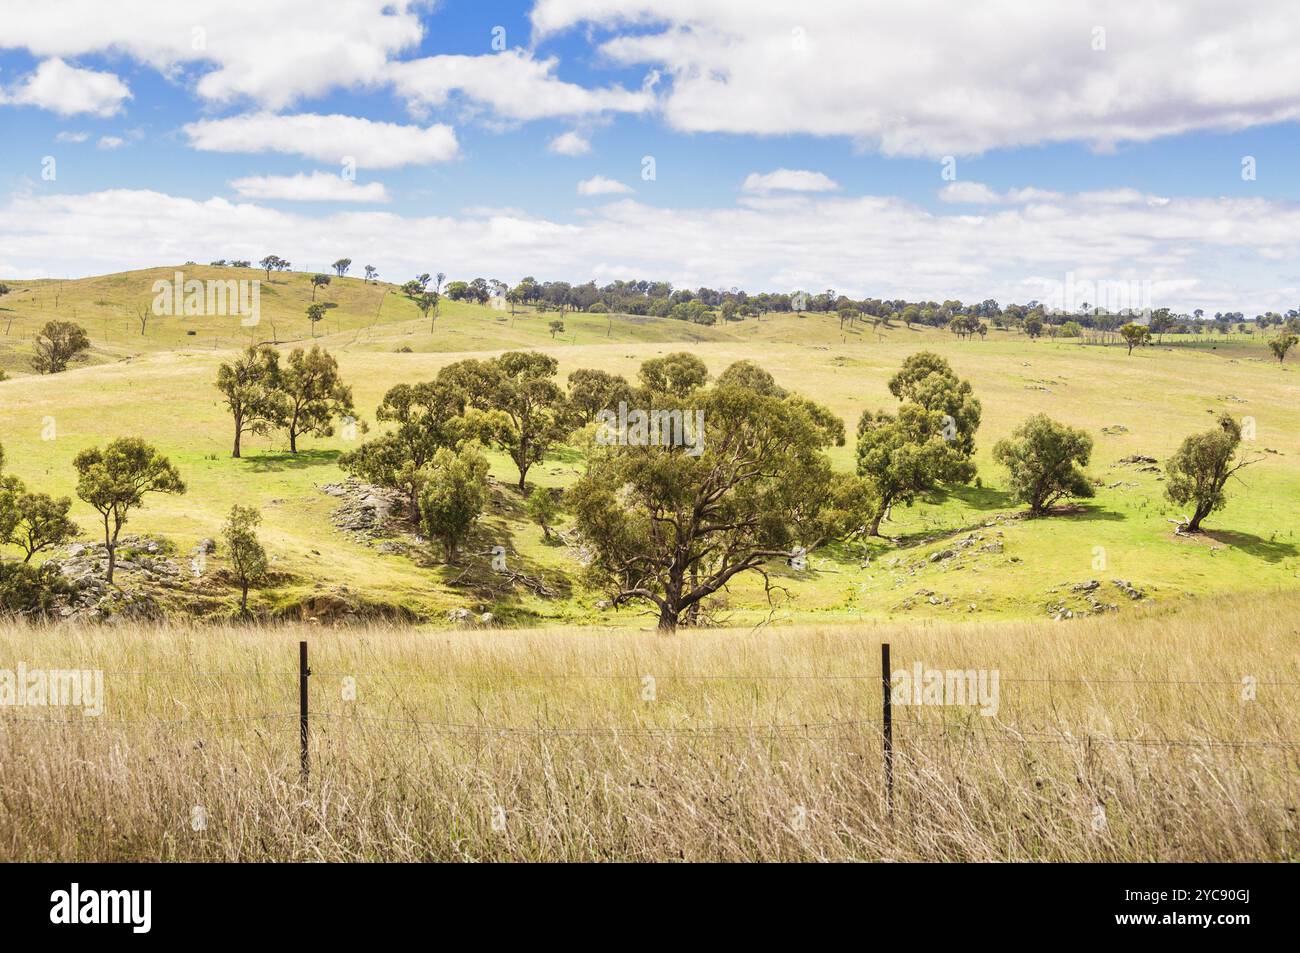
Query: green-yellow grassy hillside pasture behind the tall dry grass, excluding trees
<point>159,385</point>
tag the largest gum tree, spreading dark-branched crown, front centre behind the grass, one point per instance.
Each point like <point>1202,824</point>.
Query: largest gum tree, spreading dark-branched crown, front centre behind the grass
<point>671,527</point>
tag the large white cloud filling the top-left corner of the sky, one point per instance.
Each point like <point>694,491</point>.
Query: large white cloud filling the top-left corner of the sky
<point>271,51</point>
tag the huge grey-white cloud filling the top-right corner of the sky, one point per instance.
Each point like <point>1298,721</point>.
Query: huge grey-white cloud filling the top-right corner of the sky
<point>931,79</point>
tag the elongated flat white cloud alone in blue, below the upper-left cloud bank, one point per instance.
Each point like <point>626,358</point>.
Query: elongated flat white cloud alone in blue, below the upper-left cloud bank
<point>327,138</point>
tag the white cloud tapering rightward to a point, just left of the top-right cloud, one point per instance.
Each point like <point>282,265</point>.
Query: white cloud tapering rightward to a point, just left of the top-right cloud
<point>514,85</point>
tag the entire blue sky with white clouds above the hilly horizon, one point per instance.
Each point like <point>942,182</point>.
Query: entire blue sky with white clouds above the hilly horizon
<point>939,151</point>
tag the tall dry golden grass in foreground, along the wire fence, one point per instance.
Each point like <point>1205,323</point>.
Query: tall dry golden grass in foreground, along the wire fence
<point>768,759</point>
